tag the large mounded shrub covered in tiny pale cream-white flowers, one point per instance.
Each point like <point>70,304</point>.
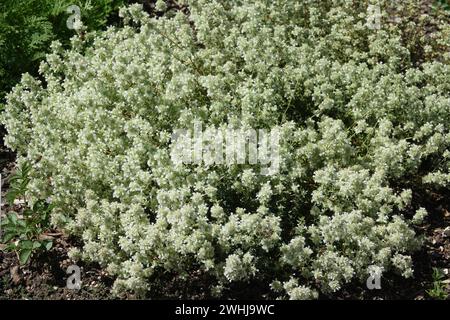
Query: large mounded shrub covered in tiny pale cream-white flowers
<point>363,115</point>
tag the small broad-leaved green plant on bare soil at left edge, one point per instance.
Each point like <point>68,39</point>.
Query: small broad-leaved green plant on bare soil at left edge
<point>24,234</point>
